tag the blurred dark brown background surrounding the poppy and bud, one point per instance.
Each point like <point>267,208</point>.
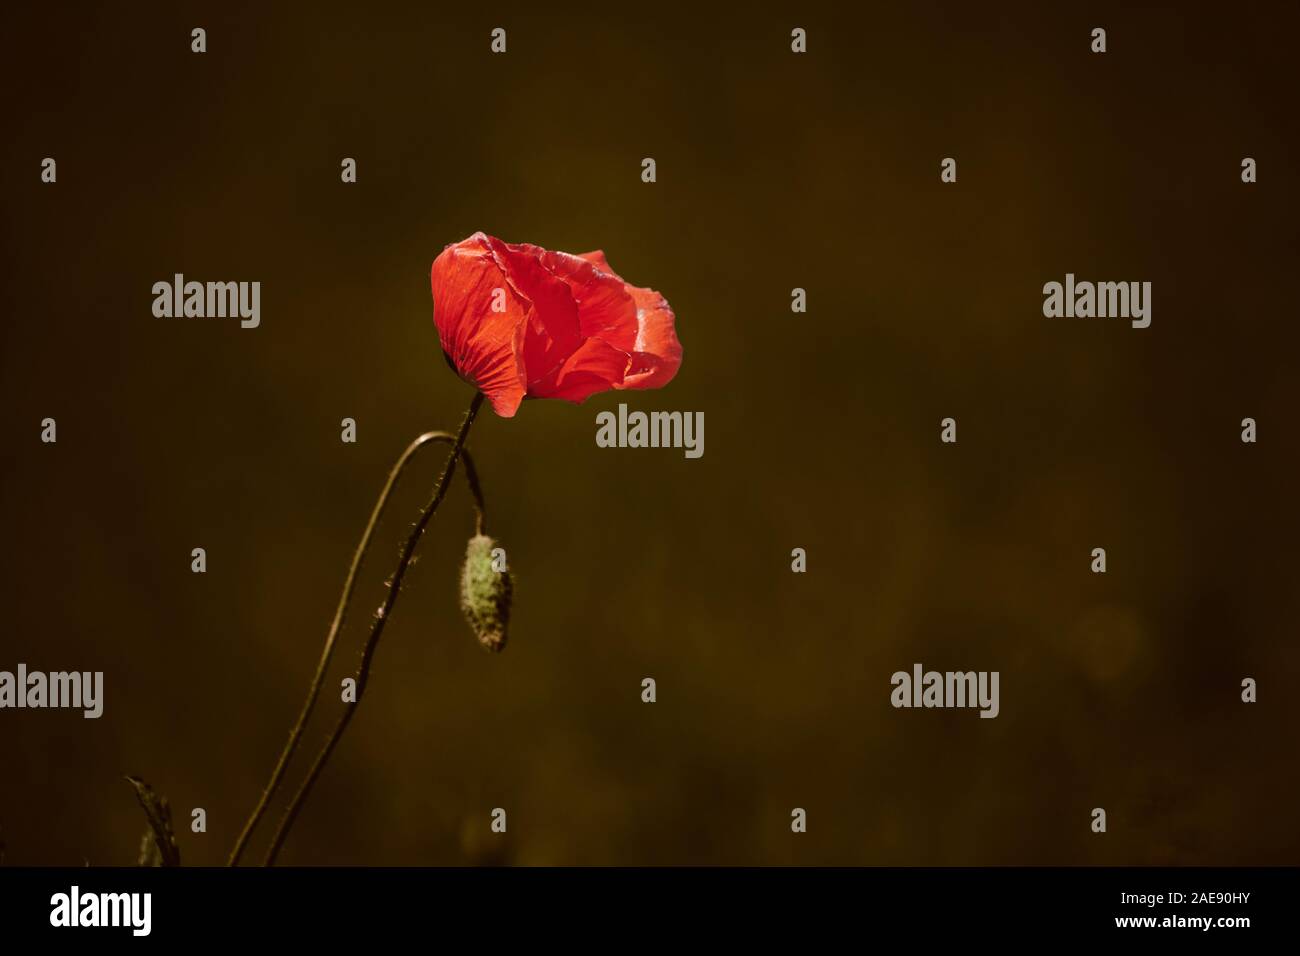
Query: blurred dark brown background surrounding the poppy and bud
<point>775,171</point>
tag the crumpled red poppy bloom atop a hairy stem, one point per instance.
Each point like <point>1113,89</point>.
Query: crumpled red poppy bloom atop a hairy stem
<point>522,322</point>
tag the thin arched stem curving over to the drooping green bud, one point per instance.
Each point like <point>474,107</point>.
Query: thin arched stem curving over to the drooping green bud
<point>345,600</point>
